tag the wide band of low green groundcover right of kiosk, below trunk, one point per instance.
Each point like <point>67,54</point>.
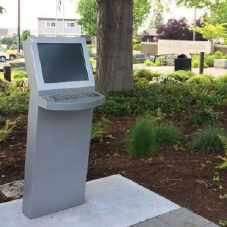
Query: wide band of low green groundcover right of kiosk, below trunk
<point>168,97</point>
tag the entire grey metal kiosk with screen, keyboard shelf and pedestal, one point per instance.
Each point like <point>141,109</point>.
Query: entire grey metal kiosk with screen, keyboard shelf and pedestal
<point>62,98</point>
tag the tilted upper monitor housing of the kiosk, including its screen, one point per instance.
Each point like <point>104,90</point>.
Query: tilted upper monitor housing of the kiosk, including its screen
<point>58,64</point>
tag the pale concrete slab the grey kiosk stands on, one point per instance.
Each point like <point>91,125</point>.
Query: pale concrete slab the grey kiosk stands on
<point>111,202</point>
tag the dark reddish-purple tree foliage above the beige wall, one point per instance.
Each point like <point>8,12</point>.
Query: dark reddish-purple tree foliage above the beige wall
<point>177,30</point>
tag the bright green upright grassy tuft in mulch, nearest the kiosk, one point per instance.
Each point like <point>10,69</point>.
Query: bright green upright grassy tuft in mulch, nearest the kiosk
<point>141,141</point>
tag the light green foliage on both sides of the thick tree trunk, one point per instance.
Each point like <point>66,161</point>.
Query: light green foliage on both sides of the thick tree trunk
<point>87,10</point>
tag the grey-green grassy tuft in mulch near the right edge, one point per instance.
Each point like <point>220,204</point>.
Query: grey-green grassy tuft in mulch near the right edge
<point>208,141</point>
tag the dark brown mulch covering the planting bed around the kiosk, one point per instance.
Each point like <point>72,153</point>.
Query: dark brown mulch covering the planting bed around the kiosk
<point>186,179</point>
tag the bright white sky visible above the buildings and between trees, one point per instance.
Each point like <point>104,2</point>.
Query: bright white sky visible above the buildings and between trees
<point>32,9</point>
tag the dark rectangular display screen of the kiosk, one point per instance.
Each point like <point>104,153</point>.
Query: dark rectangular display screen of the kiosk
<point>62,62</point>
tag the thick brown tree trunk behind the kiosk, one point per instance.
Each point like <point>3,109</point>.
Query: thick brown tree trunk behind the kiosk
<point>114,45</point>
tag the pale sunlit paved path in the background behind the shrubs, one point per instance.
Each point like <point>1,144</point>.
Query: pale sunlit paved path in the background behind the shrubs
<point>169,69</point>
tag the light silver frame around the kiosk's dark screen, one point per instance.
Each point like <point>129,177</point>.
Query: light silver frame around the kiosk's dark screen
<point>41,85</point>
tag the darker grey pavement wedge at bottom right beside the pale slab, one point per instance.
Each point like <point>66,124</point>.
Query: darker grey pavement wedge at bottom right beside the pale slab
<point>177,218</point>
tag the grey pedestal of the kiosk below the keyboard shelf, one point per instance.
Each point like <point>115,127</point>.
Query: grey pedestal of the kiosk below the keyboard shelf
<point>57,159</point>
